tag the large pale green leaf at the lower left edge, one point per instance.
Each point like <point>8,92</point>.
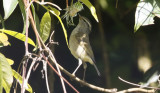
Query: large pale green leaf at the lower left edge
<point>6,73</point>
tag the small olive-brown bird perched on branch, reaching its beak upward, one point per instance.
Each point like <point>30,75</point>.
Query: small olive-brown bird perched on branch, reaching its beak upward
<point>79,45</point>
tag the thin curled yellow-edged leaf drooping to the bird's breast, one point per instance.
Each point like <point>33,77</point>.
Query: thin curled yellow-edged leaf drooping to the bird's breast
<point>57,13</point>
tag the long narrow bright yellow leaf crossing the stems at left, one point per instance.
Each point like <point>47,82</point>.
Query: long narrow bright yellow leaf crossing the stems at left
<point>17,35</point>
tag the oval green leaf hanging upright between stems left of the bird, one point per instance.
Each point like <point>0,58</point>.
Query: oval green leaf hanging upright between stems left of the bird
<point>45,26</point>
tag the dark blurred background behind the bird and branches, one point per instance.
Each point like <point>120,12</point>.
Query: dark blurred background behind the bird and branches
<point>118,50</point>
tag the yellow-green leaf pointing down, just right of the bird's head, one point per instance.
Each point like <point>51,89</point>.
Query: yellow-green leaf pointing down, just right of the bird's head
<point>91,7</point>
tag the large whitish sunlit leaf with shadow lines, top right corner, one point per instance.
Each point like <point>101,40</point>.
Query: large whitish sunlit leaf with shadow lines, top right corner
<point>145,12</point>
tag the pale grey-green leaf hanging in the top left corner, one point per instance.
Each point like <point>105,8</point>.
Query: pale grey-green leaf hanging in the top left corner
<point>9,6</point>
